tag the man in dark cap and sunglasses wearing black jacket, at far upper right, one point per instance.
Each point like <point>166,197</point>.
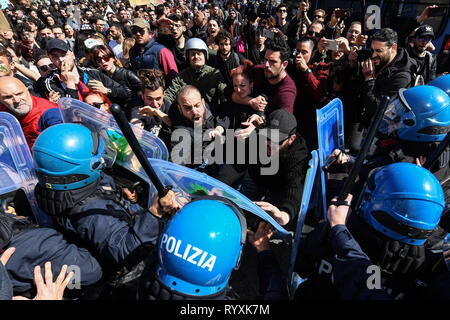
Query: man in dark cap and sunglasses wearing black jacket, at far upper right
<point>426,60</point>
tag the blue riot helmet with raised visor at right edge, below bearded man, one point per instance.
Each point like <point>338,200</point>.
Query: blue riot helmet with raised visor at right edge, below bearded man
<point>419,114</point>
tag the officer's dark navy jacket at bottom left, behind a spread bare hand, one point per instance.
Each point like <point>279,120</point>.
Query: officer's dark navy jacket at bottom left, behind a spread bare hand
<point>35,246</point>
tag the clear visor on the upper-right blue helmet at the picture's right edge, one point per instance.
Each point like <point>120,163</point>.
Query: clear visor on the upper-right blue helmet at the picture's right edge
<point>396,117</point>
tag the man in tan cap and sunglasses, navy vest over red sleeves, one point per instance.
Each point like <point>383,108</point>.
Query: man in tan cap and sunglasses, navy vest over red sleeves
<point>147,53</point>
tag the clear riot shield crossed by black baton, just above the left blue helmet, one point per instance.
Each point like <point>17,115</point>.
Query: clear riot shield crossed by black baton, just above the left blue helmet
<point>75,111</point>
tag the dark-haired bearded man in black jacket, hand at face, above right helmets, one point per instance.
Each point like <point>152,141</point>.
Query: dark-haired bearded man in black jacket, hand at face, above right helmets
<point>389,69</point>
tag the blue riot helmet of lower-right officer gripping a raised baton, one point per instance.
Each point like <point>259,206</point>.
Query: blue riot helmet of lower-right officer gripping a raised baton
<point>403,201</point>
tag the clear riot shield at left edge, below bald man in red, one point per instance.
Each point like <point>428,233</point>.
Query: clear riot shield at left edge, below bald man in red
<point>17,175</point>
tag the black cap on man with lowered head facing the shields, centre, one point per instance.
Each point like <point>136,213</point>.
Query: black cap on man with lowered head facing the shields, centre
<point>284,122</point>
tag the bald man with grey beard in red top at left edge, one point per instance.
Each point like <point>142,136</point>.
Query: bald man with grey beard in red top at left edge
<point>34,113</point>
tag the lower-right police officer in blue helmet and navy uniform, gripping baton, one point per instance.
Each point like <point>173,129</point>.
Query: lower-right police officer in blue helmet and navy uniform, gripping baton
<point>379,250</point>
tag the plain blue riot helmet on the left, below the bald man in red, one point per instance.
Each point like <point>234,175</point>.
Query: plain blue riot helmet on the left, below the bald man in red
<point>68,156</point>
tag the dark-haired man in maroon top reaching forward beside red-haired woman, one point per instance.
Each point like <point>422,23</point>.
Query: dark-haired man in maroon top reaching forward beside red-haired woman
<point>272,79</point>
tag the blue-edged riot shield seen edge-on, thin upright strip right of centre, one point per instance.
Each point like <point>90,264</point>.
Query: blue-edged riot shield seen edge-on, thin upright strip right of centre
<point>308,202</point>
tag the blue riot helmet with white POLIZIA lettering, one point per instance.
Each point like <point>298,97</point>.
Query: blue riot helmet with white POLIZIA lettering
<point>200,247</point>
